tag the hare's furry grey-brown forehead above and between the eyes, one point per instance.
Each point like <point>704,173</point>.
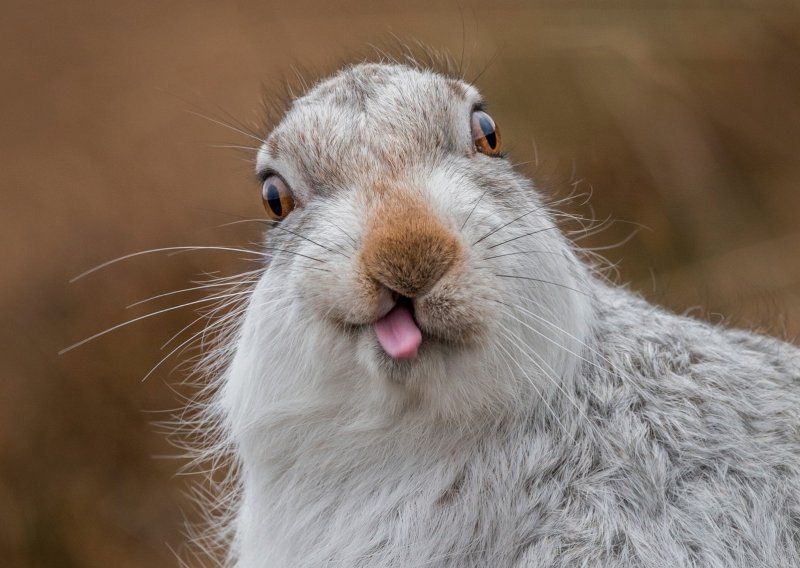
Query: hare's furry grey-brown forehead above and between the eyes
<point>380,118</point>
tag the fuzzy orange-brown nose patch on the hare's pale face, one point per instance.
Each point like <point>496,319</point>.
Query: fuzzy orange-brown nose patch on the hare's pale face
<point>409,253</point>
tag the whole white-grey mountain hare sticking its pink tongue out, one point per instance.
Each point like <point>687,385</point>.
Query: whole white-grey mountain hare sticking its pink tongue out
<point>428,374</point>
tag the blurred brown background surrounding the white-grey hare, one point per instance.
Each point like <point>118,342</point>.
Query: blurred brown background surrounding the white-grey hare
<point>682,116</point>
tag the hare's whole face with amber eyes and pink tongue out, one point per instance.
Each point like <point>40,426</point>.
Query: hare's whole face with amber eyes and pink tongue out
<point>412,253</point>
